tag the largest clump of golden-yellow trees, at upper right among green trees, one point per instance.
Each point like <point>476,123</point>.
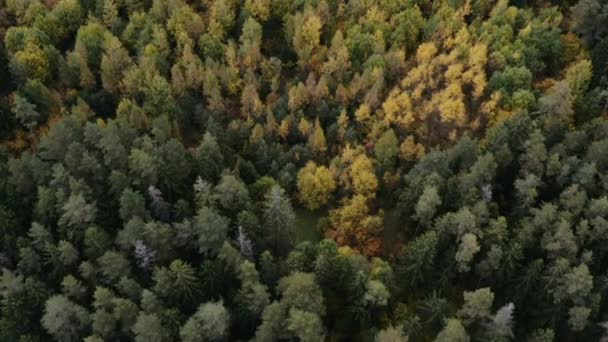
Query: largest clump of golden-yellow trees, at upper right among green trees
<point>443,95</point>
